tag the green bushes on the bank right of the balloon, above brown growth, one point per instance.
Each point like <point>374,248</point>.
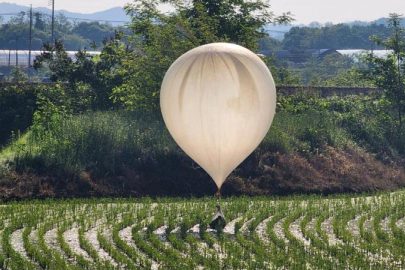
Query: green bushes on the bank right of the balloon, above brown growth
<point>364,120</point>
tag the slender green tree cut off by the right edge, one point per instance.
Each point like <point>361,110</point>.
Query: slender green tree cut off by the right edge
<point>388,73</point>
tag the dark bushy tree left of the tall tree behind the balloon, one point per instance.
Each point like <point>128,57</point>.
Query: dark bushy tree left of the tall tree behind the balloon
<point>89,78</point>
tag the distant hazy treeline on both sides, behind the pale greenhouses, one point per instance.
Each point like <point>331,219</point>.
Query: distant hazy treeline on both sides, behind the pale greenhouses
<point>76,35</point>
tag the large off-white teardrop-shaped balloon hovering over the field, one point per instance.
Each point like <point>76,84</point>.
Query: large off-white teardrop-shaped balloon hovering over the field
<point>218,102</point>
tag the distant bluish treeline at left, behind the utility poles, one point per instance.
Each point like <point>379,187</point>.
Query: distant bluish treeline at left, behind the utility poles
<point>14,34</point>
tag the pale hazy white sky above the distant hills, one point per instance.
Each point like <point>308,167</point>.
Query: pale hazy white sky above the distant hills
<point>304,11</point>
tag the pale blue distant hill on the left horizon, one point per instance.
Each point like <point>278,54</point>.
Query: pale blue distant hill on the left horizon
<point>114,15</point>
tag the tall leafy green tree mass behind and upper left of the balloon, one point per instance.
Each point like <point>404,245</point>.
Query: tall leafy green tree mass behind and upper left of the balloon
<point>161,38</point>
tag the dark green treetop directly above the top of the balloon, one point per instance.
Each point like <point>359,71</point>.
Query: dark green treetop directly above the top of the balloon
<point>236,21</point>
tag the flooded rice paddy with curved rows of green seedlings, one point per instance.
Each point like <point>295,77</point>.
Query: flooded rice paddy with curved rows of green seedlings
<point>298,232</point>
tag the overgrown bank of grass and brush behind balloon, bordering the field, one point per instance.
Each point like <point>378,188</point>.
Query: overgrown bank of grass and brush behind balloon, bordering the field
<point>128,153</point>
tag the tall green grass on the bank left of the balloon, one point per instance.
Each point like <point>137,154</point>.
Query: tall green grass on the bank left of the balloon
<point>100,141</point>
